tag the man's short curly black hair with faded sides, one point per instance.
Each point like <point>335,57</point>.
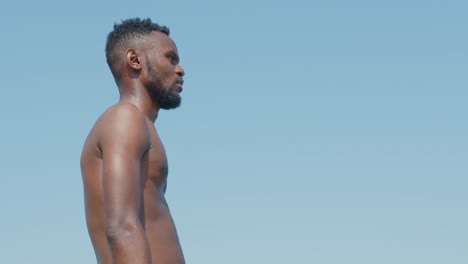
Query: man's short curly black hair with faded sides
<point>124,33</point>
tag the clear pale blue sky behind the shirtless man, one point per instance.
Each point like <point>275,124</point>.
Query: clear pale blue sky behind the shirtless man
<point>310,131</point>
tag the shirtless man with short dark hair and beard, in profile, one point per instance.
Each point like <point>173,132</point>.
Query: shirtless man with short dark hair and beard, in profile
<point>123,164</point>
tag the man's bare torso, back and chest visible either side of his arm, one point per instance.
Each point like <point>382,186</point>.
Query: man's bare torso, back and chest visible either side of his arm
<point>154,212</point>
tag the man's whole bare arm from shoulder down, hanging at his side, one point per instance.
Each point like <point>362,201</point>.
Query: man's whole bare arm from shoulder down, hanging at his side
<point>124,141</point>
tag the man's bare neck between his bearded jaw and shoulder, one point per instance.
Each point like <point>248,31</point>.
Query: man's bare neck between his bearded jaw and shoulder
<point>135,93</point>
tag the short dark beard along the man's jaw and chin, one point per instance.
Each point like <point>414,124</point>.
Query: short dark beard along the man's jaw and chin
<point>166,98</point>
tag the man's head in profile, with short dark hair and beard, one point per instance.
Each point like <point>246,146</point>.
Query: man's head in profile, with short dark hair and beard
<point>142,50</point>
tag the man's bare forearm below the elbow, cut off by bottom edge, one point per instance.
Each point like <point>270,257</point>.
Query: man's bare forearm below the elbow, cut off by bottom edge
<point>129,245</point>
